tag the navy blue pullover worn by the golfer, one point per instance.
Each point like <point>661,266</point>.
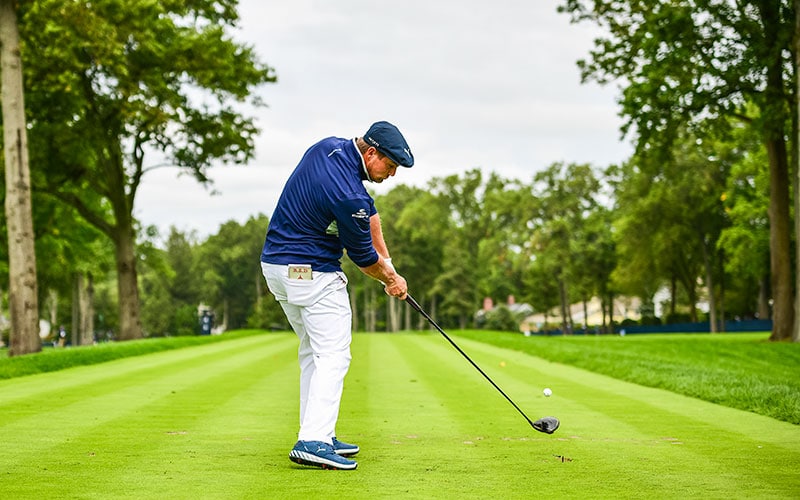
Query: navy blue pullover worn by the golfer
<point>324,208</point>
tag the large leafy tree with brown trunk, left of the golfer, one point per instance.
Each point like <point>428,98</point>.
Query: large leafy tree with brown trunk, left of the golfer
<point>118,81</point>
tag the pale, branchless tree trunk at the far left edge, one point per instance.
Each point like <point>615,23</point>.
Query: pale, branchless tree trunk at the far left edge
<point>22,286</point>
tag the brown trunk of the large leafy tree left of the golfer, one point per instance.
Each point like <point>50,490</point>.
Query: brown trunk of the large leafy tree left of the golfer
<point>130,325</point>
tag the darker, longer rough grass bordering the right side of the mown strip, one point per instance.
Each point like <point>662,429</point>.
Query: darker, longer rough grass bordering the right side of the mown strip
<point>740,370</point>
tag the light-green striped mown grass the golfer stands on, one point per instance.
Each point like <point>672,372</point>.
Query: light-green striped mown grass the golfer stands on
<point>218,420</point>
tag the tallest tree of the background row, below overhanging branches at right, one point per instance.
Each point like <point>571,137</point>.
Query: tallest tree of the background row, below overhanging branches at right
<point>669,220</point>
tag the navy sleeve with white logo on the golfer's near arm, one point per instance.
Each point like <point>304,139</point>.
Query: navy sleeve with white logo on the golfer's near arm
<point>352,219</point>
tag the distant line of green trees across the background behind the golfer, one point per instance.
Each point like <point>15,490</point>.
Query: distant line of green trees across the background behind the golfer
<point>572,232</point>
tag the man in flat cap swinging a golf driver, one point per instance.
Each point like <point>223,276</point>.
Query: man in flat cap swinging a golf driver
<point>323,210</point>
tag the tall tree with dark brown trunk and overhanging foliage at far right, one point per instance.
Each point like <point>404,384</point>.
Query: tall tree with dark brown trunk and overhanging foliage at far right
<point>700,63</point>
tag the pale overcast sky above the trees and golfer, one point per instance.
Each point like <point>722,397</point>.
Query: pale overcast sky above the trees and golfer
<point>470,84</point>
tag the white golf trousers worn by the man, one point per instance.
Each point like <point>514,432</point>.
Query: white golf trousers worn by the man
<point>319,312</point>
